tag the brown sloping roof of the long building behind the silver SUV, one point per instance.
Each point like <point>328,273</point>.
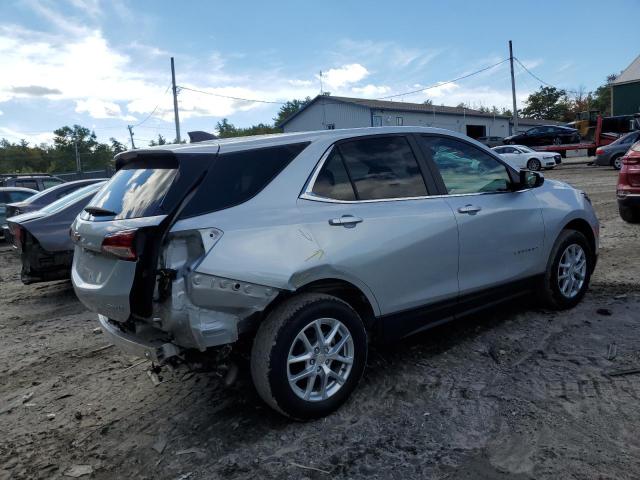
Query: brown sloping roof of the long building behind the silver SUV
<point>397,107</point>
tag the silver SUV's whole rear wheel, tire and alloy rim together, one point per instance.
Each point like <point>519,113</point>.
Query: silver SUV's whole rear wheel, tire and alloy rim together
<point>309,355</point>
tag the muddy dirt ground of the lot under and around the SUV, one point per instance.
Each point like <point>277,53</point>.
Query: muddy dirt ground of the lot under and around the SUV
<point>512,393</point>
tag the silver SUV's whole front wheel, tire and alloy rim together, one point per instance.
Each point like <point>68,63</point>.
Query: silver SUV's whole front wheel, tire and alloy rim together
<point>568,271</point>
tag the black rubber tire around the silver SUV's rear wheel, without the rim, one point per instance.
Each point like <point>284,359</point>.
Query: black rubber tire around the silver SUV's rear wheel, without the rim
<point>275,337</point>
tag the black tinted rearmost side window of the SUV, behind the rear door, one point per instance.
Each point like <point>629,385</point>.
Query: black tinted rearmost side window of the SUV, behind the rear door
<point>236,177</point>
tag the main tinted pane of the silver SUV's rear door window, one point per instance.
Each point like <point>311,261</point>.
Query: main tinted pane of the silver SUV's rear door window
<point>383,167</point>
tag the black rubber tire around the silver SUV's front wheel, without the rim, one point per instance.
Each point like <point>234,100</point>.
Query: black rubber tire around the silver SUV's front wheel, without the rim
<point>549,293</point>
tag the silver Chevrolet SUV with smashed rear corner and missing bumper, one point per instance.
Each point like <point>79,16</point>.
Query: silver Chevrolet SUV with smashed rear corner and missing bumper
<point>310,244</point>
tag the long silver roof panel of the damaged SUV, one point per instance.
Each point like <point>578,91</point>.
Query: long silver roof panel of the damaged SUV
<point>261,141</point>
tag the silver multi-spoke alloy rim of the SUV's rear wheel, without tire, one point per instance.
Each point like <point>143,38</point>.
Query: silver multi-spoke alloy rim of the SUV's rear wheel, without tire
<point>320,359</point>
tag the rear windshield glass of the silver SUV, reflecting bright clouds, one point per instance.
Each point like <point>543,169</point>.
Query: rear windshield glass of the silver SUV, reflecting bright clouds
<point>137,189</point>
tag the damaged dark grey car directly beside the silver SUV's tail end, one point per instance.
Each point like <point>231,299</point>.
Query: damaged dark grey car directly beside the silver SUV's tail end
<point>42,237</point>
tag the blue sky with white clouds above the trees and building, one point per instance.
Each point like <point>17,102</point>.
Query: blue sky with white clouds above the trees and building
<point>105,64</point>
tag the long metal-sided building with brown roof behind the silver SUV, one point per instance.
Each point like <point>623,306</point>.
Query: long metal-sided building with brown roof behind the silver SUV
<point>329,112</point>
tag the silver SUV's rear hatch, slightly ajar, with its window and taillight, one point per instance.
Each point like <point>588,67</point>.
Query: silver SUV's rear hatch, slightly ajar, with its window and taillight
<point>119,234</point>
